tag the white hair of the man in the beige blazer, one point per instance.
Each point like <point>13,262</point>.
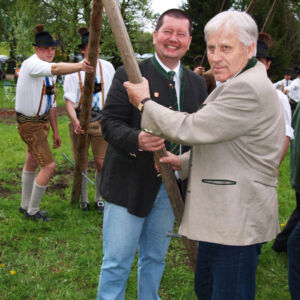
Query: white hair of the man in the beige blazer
<point>242,22</point>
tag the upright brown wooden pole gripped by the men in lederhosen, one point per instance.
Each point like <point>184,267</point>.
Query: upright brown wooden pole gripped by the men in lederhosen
<point>93,53</point>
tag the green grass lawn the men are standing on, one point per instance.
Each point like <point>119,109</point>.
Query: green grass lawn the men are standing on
<point>61,259</point>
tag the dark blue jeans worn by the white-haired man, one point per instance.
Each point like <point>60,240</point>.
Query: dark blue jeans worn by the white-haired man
<point>226,272</point>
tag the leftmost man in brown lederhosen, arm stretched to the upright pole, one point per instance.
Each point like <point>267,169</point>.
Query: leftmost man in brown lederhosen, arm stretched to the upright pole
<point>36,112</point>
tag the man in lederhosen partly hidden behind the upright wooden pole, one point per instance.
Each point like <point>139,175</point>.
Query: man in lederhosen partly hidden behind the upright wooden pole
<point>73,95</point>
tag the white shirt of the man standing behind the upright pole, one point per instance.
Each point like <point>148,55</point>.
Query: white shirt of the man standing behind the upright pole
<point>72,90</point>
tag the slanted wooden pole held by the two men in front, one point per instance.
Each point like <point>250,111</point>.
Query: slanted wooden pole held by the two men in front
<point>134,75</point>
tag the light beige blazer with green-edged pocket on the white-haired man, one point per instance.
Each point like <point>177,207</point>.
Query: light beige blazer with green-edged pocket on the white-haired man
<point>238,136</point>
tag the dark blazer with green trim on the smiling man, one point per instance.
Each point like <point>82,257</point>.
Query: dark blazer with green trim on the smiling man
<point>129,178</point>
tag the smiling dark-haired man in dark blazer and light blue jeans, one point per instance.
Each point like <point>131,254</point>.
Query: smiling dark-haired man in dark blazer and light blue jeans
<point>137,212</point>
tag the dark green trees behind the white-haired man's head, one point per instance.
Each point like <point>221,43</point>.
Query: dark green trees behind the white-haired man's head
<point>284,28</point>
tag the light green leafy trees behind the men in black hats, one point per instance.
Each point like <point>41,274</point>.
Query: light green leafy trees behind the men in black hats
<point>63,18</point>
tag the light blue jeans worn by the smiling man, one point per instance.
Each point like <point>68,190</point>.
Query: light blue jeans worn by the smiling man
<point>123,233</point>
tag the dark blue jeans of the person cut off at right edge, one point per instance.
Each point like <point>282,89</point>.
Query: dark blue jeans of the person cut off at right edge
<point>293,249</point>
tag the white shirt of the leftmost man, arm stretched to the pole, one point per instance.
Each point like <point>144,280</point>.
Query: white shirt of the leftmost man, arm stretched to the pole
<point>30,84</point>
